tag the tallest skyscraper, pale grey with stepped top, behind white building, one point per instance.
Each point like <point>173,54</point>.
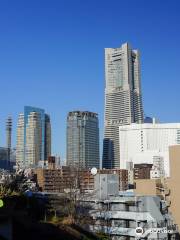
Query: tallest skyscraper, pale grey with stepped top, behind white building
<point>123,101</point>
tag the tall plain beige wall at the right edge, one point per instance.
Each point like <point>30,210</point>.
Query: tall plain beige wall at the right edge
<point>174,182</point>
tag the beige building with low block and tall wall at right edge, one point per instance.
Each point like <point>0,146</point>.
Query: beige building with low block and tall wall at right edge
<point>166,188</point>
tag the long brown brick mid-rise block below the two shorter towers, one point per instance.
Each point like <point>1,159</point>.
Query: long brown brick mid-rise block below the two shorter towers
<point>58,180</point>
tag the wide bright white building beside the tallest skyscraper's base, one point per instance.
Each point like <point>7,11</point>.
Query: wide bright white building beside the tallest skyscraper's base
<point>142,143</point>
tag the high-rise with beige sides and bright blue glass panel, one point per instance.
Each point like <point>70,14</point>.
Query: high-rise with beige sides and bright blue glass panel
<point>33,137</point>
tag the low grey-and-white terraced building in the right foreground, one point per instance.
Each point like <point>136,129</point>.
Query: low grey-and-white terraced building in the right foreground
<point>120,217</point>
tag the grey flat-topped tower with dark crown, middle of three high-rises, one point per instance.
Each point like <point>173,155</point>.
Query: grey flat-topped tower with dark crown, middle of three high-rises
<point>83,140</point>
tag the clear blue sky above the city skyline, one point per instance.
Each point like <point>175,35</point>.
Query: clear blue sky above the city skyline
<point>52,56</point>
